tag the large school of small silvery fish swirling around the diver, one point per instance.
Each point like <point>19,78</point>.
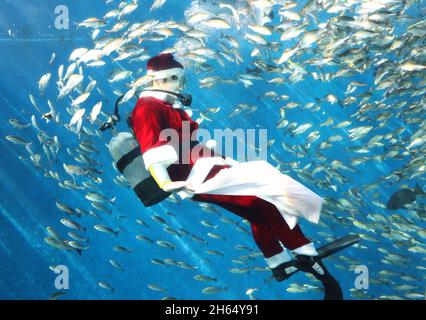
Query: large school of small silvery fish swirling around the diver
<point>316,41</point>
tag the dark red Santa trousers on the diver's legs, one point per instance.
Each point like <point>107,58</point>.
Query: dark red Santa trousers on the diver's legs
<point>267,224</point>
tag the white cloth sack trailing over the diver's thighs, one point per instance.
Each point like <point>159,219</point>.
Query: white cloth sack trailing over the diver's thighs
<point>261,179</point>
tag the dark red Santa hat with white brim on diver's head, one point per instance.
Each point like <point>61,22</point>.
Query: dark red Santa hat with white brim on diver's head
<point>164,66</point>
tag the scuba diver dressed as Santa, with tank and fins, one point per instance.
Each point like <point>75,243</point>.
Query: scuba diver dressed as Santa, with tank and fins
<point>256,191</point>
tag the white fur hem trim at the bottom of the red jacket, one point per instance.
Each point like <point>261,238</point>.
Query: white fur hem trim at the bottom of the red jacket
<point>200,170</point>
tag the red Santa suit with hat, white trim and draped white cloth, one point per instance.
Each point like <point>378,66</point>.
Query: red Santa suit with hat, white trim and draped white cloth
<point>256,191</point>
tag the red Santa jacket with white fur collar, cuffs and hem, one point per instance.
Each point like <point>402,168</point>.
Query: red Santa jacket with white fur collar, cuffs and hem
<point>151,115</point>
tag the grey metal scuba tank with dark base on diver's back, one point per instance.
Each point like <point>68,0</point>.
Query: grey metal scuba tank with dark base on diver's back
<point>127,156</point>
